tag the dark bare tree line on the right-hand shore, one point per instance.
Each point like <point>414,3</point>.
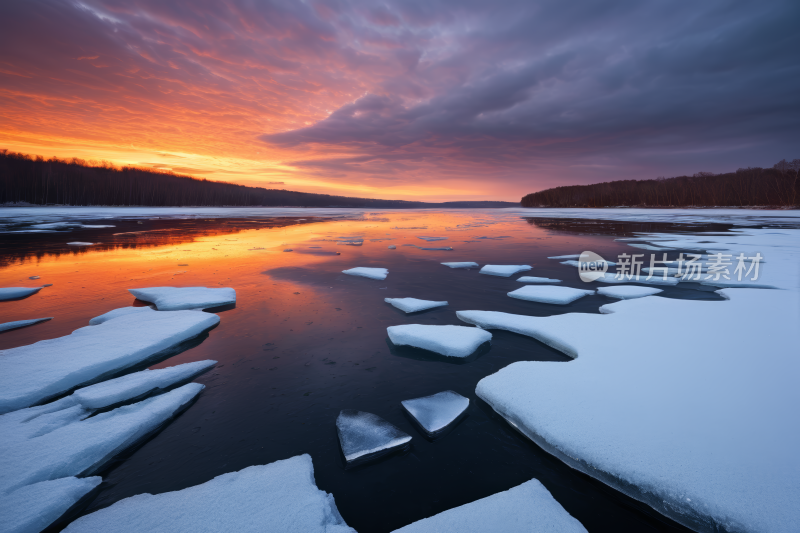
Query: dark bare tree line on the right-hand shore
<point>778,186</point>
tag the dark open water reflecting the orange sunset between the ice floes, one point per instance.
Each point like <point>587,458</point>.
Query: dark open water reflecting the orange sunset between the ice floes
<point>305,341</point>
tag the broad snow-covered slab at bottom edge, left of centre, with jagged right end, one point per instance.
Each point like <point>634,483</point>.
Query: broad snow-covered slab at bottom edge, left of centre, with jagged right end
<point>275,498</point>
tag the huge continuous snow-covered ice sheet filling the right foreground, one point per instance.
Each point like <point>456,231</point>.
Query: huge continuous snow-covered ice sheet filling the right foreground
<point>696,420</point>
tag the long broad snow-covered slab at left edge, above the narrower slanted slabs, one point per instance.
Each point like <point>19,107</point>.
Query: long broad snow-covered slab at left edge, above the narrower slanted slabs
<point>32,374</point>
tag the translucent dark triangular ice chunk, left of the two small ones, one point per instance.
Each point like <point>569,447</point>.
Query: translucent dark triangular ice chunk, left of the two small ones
<point>364,435</point>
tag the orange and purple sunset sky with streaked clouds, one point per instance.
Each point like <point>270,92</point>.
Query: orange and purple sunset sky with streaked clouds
<point>414,99</point>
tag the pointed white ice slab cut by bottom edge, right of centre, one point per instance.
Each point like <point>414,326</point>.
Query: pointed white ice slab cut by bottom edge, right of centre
<point>526,508</point>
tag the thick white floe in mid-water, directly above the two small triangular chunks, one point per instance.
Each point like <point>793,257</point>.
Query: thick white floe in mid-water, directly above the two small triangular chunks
<point>452,341</point>
